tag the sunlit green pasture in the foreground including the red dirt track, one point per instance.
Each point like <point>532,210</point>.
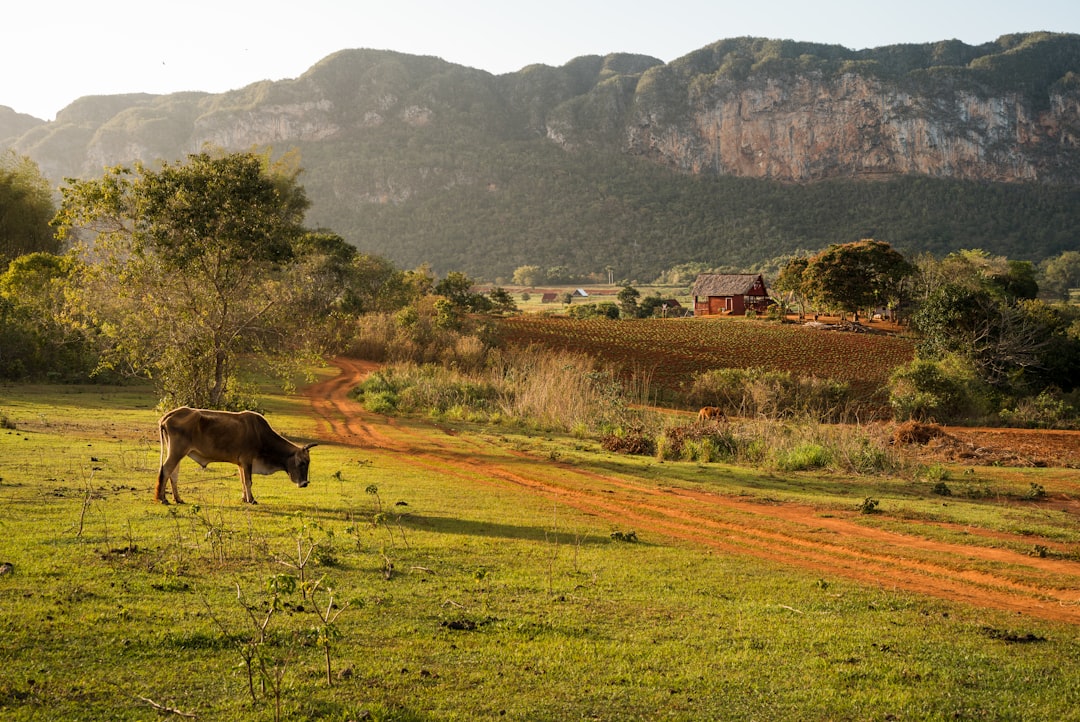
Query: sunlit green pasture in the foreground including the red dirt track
<point>492,575</point>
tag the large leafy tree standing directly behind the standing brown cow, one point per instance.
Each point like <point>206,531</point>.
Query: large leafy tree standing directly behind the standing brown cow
<point>188,268</point>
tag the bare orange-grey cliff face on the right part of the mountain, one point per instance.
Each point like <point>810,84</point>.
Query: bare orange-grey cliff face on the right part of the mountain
<point>811,128</point>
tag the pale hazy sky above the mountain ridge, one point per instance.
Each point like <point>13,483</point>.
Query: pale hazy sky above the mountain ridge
<point>55,52</point>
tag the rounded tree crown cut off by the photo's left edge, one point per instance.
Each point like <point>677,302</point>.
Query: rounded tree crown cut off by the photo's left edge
<point>26,208</point>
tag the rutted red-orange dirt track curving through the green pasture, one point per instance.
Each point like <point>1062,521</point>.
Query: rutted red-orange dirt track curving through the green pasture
<point>786,534</point>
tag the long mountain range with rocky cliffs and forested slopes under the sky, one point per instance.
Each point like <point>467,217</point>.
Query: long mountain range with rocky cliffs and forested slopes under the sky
<point>739,153</point>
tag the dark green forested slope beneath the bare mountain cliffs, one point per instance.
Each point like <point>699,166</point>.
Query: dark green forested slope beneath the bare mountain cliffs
<point>592,212</point>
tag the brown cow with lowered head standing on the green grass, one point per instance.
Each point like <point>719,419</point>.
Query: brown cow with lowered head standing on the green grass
<point>244,439</point>
